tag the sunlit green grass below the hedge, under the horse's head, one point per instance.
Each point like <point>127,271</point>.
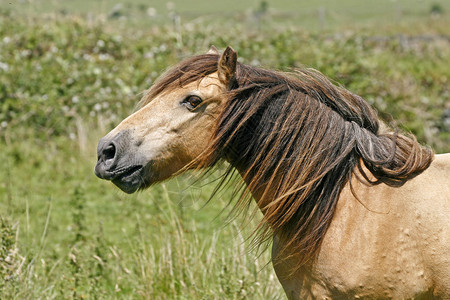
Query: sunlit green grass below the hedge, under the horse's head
<point>80,238</point>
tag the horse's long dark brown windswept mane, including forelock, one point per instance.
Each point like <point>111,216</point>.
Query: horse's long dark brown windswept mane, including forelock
<point>297,140</point>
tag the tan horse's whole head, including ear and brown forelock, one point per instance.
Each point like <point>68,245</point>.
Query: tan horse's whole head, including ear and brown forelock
<point>172,128</point>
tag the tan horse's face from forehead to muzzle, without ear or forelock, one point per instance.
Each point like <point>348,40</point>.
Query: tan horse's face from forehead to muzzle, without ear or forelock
<point>162,137</point>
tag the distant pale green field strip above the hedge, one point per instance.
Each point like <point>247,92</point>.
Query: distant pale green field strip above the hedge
<point>304,14</point>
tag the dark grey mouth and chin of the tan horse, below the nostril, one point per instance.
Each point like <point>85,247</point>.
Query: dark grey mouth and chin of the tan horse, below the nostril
<point>128,179</point>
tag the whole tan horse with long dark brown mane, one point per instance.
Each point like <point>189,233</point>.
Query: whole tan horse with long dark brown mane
<point>355,209</point>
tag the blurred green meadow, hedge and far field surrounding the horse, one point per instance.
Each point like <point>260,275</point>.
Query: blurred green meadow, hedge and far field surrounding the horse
<point>70,70</point>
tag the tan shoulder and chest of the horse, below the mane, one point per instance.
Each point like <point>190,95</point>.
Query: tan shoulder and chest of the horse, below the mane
<point>395,246</point>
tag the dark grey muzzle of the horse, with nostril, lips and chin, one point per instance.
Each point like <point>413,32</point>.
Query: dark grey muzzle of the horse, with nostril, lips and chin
<point>116,163</point>
